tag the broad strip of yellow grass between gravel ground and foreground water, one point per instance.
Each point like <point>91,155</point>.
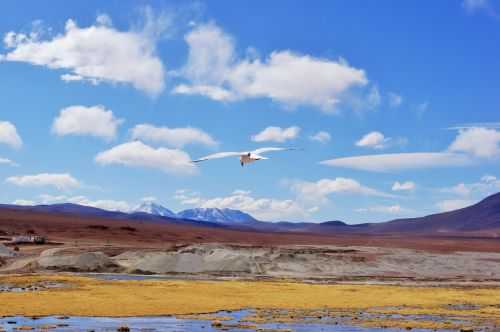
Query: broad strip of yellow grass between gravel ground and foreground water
<point>91,297</point>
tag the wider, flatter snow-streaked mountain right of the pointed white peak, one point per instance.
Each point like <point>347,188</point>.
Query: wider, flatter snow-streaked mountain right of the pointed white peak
<point>222,216</point>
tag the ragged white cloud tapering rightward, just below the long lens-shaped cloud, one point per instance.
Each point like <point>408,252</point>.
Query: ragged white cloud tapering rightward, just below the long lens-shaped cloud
<point>319,190</point>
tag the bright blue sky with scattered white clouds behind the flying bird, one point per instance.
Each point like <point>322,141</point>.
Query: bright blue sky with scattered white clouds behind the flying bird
<point>394,105</point>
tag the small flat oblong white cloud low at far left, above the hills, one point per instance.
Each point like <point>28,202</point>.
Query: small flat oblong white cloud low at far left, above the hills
<point>62,181</point>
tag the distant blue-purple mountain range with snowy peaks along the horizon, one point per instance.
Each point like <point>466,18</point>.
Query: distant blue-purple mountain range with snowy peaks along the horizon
<point>482,218</point>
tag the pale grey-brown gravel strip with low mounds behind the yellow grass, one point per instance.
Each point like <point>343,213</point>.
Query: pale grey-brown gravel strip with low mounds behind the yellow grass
<point>301,262</point>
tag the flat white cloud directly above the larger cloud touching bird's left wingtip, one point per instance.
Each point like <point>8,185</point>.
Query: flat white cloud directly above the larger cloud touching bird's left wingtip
<point>176,137</point>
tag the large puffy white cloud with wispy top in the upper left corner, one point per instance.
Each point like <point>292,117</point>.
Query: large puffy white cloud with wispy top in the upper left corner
<point>97,53</point>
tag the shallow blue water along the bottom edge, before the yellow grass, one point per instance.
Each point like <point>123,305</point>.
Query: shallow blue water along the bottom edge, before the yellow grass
<point>164,323</point>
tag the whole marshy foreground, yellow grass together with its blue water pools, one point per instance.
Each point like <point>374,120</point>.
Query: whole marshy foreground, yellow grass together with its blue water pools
<point>195,305</point>
